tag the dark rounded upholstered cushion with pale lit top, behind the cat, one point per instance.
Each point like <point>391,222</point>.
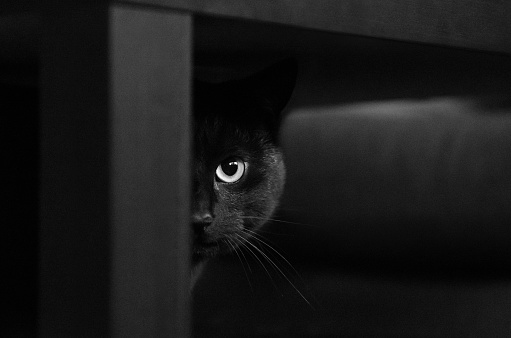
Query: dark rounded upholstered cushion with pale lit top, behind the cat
<point>429,178</point>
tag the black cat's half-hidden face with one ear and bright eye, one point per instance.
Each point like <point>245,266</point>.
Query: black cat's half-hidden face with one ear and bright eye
<point>239,171</point>
